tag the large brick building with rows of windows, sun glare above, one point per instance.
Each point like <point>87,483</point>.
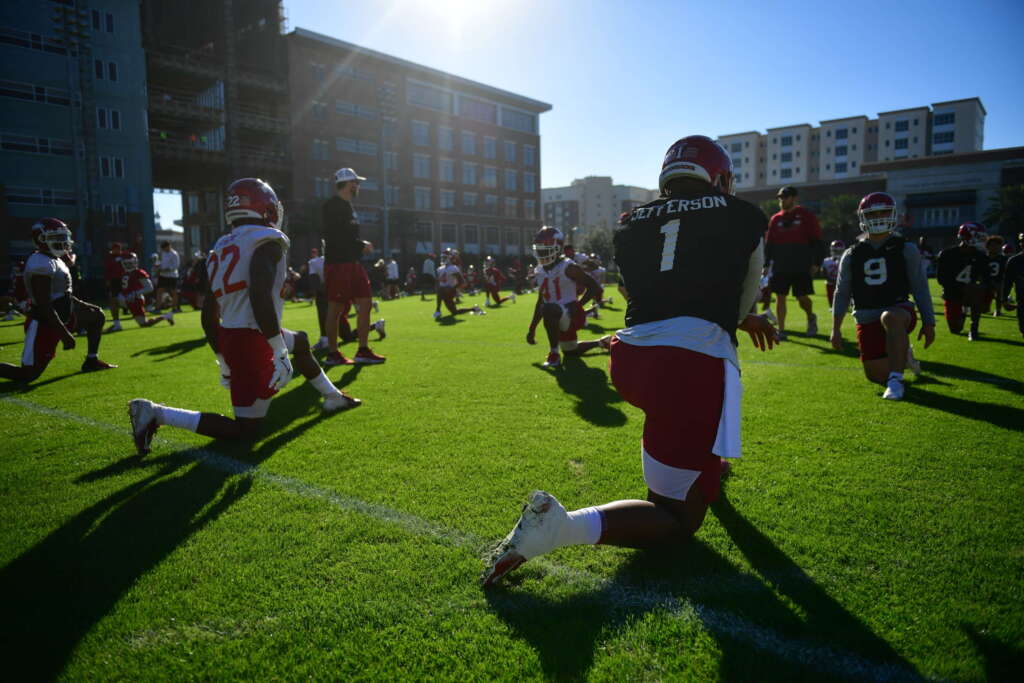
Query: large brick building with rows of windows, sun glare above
<point>449,162</point>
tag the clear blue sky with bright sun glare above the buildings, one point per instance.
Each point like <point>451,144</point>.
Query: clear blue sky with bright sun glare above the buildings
<point>627,79</point>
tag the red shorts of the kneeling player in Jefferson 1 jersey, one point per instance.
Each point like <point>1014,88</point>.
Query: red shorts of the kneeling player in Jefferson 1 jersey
<point>681,394</point>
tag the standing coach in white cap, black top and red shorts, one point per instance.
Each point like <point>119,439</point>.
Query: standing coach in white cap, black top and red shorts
<point>346,278</point>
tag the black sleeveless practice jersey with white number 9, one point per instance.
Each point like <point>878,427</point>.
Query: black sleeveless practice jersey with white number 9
<point>879,276</point>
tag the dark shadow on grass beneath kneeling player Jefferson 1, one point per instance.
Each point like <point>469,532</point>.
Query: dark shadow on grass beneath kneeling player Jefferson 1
<point>567,633</point>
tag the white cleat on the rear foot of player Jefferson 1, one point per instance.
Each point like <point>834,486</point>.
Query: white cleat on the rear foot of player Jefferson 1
<point>535,534</point>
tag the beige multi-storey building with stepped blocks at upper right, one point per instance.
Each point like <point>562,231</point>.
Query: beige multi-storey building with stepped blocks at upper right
<point>838,150</point>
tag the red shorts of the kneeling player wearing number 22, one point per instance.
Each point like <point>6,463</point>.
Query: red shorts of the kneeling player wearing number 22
<point>251,362</point>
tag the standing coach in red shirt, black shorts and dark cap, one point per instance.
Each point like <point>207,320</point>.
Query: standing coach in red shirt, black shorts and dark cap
<point>795,248</point>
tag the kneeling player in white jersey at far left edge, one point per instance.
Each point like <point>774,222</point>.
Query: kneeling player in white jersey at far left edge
<point>54,312</point>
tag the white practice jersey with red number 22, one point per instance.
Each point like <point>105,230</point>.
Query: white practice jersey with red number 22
<point>229,266</point>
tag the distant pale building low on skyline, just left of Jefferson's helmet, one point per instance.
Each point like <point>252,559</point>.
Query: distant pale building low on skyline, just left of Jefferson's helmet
<point>590,203</point>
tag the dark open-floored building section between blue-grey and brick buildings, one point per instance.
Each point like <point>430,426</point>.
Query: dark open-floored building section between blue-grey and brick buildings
<point>218,104</point>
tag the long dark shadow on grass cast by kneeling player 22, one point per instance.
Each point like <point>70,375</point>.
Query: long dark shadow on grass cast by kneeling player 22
<point>59,590</point>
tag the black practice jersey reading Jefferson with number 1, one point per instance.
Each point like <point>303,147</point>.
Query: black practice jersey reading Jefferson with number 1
<point>689,255</point>
